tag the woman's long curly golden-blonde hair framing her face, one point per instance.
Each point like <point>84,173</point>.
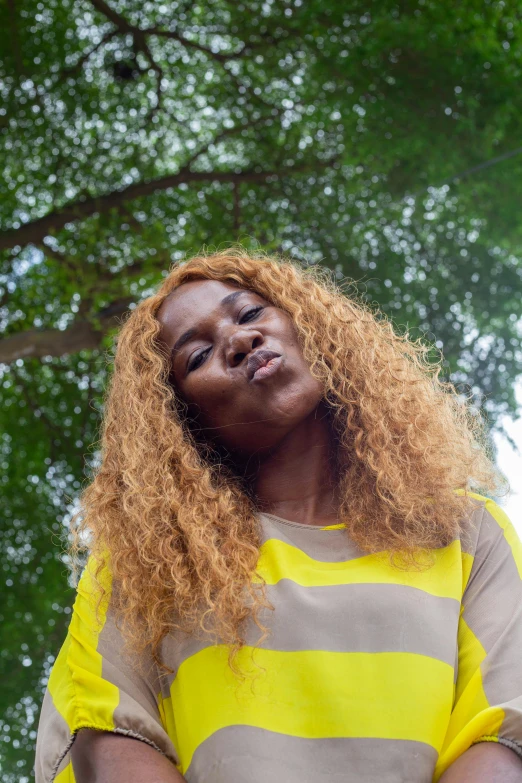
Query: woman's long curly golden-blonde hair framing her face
<point>179,528</point>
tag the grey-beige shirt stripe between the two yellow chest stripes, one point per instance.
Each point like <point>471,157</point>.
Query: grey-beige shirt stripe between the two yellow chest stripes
<point>346,618</point>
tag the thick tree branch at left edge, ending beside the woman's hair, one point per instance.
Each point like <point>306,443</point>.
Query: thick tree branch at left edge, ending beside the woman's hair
<point>80,336</point>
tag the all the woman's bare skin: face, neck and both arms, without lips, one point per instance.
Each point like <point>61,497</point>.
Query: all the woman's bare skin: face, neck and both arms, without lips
<point>277,431</point>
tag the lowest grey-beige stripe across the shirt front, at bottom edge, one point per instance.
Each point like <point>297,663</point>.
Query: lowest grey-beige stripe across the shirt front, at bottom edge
<point>238,754</point>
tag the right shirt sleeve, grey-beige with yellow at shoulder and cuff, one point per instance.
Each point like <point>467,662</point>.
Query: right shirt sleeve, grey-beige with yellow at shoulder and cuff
<point>488,694</point>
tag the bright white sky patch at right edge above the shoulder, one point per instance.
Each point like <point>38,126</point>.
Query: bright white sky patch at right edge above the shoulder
<point>510,463</point>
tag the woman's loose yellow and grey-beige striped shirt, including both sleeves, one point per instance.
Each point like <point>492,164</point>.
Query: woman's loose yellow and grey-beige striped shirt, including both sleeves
<point>370,674</point>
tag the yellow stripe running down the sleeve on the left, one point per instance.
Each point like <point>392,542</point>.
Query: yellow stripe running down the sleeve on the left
<point>79,692</point>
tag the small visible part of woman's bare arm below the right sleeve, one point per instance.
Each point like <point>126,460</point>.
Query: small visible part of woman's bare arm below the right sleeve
<point>487,762</point>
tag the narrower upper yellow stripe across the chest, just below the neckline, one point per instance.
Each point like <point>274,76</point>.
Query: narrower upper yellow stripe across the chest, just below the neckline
<point>280,560</point>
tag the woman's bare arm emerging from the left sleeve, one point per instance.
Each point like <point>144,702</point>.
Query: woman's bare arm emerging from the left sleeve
<point>102,757</point>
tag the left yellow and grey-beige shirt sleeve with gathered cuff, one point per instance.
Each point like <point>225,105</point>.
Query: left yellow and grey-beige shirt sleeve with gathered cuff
<point>93,685</point>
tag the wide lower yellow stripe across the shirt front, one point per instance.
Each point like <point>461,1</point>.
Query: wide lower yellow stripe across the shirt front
<point>312,694</point>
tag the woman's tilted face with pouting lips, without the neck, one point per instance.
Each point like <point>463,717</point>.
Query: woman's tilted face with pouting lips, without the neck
<point>236,361</point>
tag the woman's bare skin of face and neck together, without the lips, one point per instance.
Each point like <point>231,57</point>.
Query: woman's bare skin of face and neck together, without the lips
<point>276,427</point>
